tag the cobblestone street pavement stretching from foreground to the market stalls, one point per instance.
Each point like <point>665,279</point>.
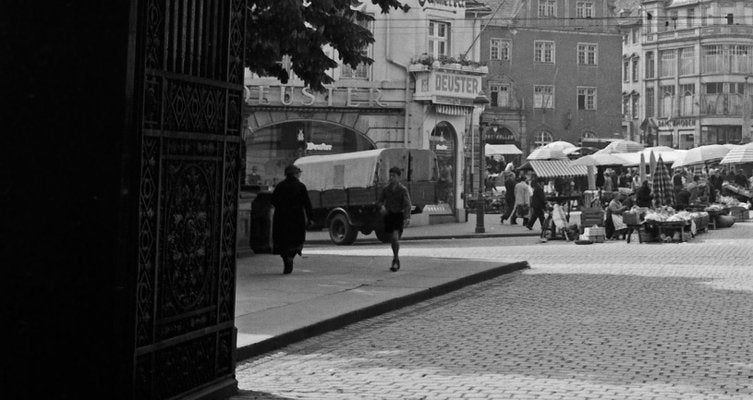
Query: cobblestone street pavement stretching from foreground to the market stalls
<point>602,321</point>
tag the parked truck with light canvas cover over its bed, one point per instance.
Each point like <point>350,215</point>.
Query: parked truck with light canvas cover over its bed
<point>344,188</point>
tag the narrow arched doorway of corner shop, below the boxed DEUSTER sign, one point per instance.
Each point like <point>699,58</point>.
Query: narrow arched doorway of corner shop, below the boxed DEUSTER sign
<point>443,142</point>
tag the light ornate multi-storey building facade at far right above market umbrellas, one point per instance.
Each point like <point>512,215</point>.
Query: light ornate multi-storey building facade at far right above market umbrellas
<point>694,77</point>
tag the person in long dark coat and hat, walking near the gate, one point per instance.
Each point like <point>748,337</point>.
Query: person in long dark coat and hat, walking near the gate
<point>292,213</point>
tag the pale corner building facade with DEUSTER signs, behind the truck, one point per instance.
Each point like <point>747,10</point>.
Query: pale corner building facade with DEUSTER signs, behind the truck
<point>418,93</point>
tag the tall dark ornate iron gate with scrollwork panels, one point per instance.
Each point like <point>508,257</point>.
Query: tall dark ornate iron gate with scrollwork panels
<point>190,79</point>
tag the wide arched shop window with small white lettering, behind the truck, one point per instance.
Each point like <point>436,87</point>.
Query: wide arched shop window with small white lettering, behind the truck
<point>270,149</point>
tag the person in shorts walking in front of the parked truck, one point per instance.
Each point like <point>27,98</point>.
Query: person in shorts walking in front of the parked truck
<point>394,203</point>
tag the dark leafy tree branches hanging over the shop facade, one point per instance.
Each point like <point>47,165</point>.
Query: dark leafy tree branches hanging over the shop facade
<point>300,29</point>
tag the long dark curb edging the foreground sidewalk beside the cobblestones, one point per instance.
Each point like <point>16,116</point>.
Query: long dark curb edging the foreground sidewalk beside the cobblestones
<point>351,317</point>
